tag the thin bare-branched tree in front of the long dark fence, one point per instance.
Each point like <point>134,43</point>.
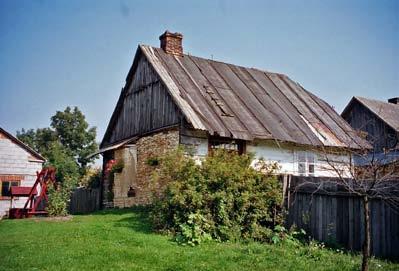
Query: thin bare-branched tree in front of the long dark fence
<point>369,175</point>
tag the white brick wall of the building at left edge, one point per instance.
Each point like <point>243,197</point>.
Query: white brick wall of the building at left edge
<point>14,160</point>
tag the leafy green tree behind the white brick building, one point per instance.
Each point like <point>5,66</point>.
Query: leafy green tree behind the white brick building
<point>66,144</point>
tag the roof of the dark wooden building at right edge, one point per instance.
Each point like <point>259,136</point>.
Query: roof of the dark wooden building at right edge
<point>387,112</point>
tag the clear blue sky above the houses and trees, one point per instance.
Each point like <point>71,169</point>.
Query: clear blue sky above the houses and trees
<point>59,53</point>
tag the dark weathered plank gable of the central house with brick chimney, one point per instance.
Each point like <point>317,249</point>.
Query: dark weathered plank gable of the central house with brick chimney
<point>146,106</point>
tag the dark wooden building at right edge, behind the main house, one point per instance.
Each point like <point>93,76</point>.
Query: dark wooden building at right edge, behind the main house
<point>378,121</point>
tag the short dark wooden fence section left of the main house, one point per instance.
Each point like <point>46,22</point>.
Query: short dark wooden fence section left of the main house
<point>84,201</point>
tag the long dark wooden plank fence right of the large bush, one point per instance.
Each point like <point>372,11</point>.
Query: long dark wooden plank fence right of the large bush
<point>337,218</point>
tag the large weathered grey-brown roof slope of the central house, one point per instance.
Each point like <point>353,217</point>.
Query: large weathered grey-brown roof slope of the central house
<point>247,103</point>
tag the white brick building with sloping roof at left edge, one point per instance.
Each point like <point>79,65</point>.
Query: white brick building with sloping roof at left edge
<point>18,166</point>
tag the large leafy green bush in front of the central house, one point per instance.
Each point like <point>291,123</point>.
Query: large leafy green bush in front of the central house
<point>224,197</point>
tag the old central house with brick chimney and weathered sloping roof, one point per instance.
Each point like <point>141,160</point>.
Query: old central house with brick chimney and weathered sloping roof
<point>172,99</point>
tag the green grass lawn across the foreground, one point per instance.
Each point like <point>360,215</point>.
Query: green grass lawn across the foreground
<point>122,240</point>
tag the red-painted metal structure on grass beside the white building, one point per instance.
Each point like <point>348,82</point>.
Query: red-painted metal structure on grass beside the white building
<point>36,195</point>
